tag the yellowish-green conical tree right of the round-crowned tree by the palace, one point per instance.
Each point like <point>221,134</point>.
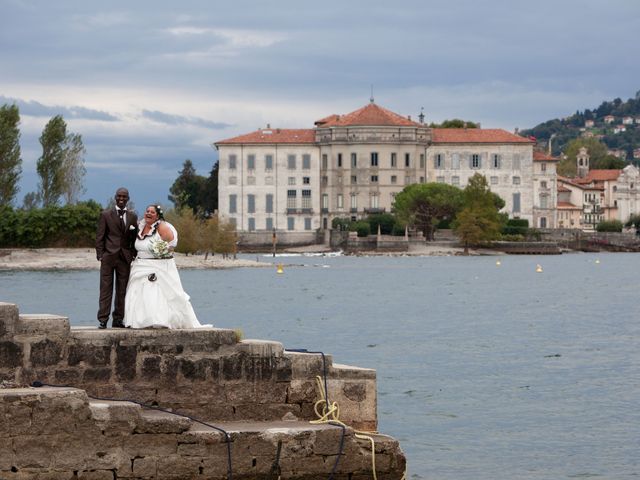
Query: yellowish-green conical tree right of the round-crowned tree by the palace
<point>479,220</point>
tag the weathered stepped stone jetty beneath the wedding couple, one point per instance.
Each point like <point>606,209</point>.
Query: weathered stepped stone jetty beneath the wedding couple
<point>220,408</point>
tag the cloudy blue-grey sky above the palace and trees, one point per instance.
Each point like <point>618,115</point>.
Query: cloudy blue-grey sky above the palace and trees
<point>149,84</point>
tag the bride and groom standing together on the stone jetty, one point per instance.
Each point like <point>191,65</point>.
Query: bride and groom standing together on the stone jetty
<point>138,258</point>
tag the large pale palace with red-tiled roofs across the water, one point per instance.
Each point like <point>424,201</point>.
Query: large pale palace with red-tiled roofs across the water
<point>298,180</point>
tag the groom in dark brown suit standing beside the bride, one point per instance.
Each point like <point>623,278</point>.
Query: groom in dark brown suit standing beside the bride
<point>115,250</point>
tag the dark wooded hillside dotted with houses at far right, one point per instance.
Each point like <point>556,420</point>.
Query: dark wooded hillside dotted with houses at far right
<point>615,123</point>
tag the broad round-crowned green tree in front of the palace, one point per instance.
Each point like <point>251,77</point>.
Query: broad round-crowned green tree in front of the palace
<point>423,205</point>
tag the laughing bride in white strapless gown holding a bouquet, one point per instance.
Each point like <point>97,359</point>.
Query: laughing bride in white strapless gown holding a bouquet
<point>155,297</point>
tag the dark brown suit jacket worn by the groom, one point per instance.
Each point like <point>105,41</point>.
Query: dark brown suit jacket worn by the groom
<point>112,236</point>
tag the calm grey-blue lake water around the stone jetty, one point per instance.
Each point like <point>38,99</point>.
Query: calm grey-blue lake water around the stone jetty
<point>484,371</point>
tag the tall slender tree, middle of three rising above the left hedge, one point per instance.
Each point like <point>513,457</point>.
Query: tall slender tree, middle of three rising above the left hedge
<point>50,164</point>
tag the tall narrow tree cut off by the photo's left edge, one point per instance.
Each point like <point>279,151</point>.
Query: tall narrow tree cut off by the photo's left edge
<point>10,160</point>
